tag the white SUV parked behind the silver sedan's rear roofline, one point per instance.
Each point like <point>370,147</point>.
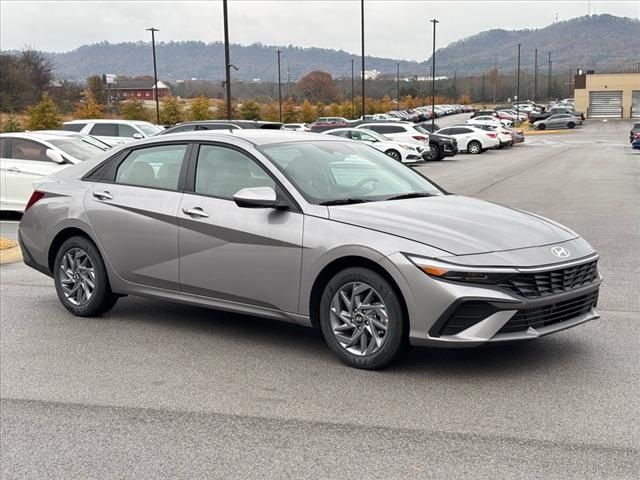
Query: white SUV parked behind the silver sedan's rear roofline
<point>113,132</point>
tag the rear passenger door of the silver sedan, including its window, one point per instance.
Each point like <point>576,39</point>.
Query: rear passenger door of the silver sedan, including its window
<point>132,206</point>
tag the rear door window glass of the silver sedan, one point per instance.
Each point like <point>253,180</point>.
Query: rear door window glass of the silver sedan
<point>153,167</point>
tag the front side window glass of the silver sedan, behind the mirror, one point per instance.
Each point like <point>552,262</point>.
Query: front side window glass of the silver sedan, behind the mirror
<point>222,172</point>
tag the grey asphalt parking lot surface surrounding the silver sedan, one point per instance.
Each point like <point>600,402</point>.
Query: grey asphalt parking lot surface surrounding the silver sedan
<point>157,390</point>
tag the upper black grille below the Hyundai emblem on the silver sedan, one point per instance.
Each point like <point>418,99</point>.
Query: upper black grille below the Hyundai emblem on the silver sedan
<point>541,284</point>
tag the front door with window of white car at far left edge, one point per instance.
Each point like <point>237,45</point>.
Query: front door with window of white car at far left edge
<point>26,162</point>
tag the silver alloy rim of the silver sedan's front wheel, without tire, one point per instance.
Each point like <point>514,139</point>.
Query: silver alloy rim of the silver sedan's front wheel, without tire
<point>359,319</point>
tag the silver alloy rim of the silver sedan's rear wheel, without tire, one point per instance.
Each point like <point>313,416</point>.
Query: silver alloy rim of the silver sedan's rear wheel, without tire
<point>77,276</point>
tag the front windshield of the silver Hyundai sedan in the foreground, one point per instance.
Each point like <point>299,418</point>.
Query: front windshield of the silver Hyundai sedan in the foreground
<point>330,171</point>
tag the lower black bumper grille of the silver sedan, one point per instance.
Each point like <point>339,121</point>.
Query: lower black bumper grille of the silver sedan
<point>550,314</point>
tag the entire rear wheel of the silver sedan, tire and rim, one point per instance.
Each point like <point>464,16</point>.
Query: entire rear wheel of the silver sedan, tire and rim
<point>81,279</point>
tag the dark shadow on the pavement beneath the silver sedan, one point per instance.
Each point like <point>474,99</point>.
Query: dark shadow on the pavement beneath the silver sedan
<point>553,353</point>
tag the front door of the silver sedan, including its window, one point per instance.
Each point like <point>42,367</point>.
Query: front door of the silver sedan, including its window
<point>250,256</point>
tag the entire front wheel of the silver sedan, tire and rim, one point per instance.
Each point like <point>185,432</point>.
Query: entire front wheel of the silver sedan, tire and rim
<point>361,319</point>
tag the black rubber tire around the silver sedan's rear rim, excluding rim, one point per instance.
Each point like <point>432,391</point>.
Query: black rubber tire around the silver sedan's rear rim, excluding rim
<point>102,298</point>
